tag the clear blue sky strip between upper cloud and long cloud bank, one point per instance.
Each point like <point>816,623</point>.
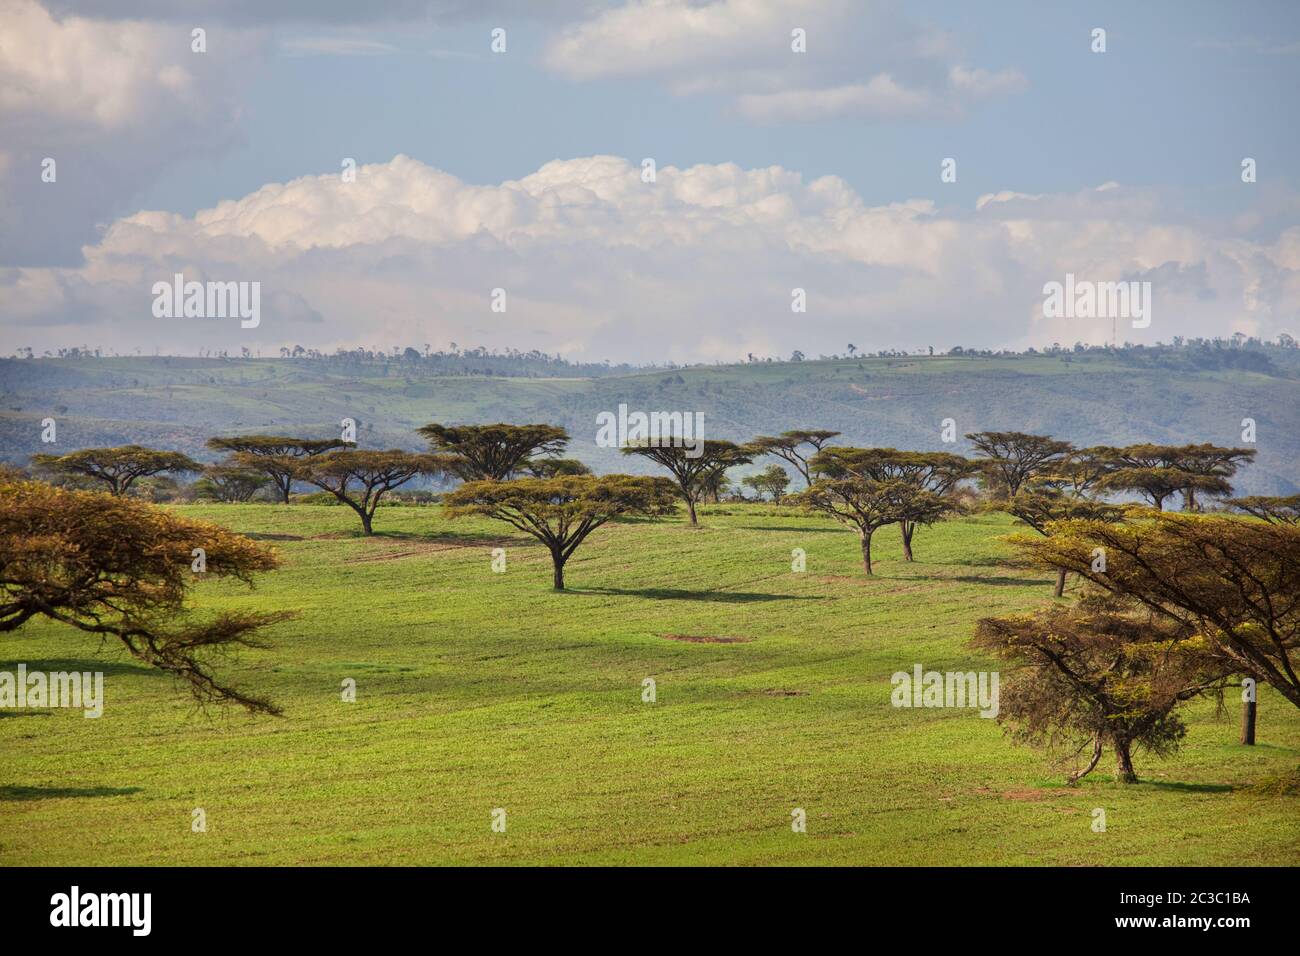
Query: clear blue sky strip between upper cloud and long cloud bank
<point>1162,109</point>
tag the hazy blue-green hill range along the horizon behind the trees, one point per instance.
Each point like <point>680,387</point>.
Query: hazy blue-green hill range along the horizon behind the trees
<point>1095,399</point>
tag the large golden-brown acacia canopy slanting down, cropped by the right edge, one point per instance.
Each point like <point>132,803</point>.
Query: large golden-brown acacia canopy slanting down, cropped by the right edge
<point>1234,583</point>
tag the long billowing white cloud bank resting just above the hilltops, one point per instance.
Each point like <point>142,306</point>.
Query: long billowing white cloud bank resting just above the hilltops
<point>699,266</point>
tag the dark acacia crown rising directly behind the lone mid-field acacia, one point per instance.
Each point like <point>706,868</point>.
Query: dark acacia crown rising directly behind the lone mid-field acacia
<point>493,453</point>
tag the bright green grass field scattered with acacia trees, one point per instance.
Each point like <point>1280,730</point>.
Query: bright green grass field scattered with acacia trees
<point>480,691</point>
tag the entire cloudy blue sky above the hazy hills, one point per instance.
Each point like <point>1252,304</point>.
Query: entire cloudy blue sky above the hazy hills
<point>816,171</point>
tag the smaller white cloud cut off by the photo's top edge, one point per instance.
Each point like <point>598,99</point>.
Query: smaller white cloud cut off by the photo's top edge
<point>861,59</point>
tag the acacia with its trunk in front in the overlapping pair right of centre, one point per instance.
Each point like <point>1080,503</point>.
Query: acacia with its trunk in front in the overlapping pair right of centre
<point>868,505</point>
